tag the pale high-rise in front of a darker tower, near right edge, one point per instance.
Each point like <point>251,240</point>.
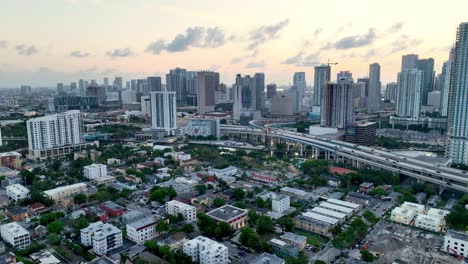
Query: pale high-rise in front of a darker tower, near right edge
<point>408,101</point>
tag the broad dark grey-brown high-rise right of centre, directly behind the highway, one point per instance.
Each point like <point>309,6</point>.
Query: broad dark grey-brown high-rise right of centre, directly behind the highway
<point>337,103</point>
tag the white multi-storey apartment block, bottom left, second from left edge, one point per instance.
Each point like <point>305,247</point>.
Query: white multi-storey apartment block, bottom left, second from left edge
<point>103,237</point>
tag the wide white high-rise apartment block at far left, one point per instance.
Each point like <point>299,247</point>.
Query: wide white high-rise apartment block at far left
<point>55,130</point>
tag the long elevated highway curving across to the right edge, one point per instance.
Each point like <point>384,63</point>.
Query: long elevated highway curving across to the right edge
<point>441,175</point>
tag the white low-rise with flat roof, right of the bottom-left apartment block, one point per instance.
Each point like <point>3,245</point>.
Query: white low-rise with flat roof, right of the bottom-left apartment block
<point>142,230</point>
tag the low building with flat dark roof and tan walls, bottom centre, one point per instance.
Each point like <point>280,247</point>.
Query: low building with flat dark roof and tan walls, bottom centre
<point>234,216</point>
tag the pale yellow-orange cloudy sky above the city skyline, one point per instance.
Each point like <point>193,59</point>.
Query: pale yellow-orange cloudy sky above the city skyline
<point>43,42</point>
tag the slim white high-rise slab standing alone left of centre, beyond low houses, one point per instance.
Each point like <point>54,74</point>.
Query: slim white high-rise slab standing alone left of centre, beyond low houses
<point>163,111</point>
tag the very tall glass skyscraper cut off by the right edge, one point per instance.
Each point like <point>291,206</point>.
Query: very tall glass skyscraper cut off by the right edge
<point>457,132</point>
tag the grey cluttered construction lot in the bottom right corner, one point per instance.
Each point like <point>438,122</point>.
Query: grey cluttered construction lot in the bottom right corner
<point>396,243</point>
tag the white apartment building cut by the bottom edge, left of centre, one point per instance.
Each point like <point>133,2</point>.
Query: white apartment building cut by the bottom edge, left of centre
<point>206,251</point>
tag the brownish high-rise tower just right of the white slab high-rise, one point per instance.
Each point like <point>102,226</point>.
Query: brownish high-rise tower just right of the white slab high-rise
<point>207,83</point>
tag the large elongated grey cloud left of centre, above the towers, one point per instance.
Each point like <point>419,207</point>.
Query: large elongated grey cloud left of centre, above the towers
<point>197,37</point>
